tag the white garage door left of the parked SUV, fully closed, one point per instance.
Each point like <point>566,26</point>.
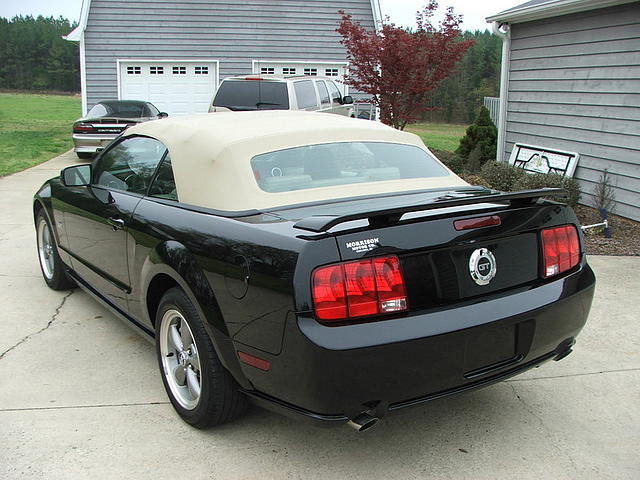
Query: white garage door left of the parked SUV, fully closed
<point>175,87</point>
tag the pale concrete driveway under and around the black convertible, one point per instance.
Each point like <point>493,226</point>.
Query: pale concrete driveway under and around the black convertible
<point>81,397</point>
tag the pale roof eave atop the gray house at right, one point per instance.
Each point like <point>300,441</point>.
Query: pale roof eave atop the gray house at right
<point>538,9</point>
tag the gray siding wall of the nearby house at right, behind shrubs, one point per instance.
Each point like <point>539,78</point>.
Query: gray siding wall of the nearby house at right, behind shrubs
<point>574,84</point>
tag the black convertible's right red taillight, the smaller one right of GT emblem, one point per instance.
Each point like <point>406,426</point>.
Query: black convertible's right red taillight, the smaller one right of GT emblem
<point>561,249</point>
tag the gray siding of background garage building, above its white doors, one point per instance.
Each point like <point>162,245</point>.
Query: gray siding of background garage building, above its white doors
<point>232,32</point>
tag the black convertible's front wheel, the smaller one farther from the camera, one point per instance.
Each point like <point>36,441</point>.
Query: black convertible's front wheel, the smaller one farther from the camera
<point>53,270</point>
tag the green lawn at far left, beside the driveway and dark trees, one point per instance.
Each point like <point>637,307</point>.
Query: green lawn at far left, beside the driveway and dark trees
<point>34,128</point>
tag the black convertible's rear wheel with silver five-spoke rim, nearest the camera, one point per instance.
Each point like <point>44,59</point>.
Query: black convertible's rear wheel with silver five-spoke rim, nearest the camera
<point>200,389</point>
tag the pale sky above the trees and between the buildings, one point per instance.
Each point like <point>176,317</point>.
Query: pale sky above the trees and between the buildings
<point>401,12</point>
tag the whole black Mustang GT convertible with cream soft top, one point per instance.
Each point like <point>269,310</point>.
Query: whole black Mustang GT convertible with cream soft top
<point>325,267</point>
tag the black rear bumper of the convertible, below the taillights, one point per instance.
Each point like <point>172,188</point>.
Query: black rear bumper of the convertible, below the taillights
<point>330,374</point>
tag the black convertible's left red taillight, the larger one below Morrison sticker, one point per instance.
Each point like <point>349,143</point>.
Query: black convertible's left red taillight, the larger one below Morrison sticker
<point>358,289</point>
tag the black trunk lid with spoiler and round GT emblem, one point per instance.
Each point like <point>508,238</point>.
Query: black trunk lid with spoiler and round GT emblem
<point>436,253</point>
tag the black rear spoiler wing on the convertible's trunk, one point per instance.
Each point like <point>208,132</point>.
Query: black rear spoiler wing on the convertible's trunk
<point>322,223</point>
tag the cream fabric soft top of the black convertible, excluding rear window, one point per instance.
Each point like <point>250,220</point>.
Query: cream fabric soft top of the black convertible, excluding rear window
<point>211,154</point>
